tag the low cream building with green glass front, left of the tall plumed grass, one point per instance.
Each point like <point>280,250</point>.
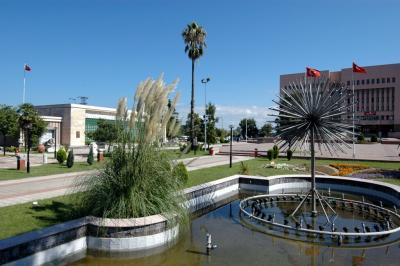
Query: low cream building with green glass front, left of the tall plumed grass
<point>71,122</point>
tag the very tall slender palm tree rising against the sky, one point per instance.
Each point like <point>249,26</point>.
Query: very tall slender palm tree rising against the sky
<point>194,37</point>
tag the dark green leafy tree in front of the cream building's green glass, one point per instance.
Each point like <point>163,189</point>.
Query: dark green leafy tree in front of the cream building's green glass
<point>106,132</point>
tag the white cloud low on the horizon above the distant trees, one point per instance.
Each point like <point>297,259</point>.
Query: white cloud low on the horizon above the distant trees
<point>232,114</point>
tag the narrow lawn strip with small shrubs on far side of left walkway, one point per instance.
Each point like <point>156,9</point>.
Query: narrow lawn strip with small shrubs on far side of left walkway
<point>47,169</point>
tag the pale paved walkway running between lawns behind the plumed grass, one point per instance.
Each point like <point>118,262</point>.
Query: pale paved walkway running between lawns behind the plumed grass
<point>34,188</point>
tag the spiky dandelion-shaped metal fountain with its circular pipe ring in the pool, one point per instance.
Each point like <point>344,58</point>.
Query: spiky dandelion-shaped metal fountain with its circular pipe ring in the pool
<point>310,113</point>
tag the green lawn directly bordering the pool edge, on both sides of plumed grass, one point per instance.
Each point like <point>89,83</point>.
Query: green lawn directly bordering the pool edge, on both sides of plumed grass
<point>23,218</point>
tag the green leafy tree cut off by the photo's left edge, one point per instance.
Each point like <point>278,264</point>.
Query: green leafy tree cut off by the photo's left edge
<point>8,123</point>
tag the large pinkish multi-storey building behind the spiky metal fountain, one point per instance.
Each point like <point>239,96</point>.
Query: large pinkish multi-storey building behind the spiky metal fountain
<point>377,97</point>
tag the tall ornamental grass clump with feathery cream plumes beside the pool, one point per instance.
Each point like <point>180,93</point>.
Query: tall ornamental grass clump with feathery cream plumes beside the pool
<point>138,179</point>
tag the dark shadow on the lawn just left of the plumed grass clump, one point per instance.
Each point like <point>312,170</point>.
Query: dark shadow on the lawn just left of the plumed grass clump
<point>56,212</point>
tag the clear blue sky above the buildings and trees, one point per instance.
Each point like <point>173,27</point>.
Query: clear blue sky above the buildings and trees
<point>103,49</point>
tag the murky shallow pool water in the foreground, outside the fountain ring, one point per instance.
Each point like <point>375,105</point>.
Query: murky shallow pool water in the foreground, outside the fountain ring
<point>241,244</point>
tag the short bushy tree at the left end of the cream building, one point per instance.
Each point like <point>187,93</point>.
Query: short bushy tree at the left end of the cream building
<point>28,115</point>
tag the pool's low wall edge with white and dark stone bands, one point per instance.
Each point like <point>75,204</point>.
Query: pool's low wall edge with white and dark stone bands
<point>45,245</point>
